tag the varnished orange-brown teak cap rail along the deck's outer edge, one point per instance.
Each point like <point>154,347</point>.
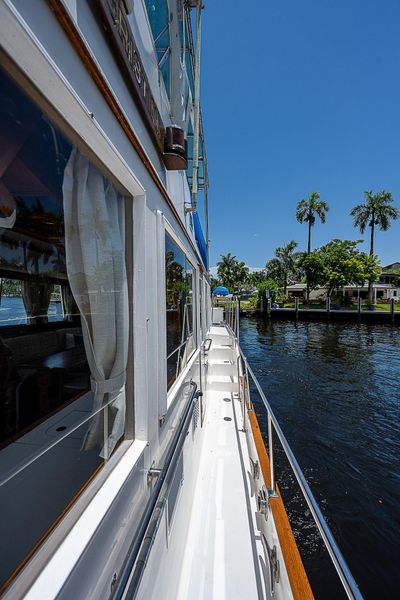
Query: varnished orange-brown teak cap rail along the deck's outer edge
<point>298,579</point>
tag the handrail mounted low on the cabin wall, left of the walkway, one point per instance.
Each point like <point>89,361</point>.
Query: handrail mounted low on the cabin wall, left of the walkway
<point>131,576</point>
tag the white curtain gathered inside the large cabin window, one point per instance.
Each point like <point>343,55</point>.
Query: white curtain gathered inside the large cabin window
<point>95,256</point>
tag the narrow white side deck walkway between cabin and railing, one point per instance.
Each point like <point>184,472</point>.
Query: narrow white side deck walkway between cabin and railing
<point>221,556</point>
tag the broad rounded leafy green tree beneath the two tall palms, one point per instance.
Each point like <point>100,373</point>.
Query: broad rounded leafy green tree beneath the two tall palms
<point>339,263</point>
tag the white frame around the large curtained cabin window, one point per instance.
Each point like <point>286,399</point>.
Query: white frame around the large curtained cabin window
<point>65,110</point>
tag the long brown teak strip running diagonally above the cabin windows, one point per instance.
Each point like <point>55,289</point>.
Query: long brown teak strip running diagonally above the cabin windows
<point>84,54</point>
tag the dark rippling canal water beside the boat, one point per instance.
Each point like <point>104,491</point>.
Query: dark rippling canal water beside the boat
<point>335,389</point>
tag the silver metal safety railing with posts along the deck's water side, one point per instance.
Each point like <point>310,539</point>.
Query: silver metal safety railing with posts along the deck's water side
<point>342,569</point>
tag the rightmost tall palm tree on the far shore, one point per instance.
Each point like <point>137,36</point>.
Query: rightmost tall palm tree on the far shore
<point>376,210</point>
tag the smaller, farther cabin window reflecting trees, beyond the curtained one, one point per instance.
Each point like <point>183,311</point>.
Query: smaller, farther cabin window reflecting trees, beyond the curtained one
<point>180,313</point>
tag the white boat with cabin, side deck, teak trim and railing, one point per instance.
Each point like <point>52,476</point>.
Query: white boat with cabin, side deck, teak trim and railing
<point>131,461</point>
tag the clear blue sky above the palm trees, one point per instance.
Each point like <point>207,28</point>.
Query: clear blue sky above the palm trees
<point>298,96</point>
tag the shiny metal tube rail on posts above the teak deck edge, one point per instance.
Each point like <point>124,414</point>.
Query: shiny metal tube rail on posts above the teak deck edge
<point>342,569</point>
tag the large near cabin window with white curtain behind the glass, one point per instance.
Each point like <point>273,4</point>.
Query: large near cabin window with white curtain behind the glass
<point>63,323</point>
